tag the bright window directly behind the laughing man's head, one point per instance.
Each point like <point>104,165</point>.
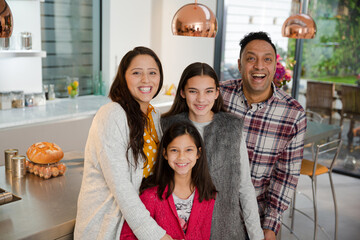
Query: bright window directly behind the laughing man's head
<point>242,17</point>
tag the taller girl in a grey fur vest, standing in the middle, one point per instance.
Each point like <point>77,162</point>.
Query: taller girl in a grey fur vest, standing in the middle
<point>198,101</point>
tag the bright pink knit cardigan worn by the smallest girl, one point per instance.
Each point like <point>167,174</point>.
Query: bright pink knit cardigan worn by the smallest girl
<point>164,213</point>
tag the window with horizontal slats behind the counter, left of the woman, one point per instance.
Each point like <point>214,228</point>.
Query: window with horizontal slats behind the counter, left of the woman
<point>71,37</point>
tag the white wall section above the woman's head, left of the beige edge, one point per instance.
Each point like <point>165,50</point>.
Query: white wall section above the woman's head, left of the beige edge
<point>126,24</point>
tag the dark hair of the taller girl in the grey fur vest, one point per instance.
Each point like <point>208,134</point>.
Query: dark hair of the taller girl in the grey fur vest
<point>193,70</point>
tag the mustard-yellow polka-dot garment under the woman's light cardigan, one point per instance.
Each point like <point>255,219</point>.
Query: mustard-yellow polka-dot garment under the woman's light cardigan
<point>151,142</point>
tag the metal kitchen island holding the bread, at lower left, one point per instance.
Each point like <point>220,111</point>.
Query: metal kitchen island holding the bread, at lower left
<point>47,209</point>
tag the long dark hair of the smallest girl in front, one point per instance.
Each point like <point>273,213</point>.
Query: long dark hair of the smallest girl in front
<point>164,175</point>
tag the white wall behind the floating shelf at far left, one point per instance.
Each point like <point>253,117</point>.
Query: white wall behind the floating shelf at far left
<point>23,73</point>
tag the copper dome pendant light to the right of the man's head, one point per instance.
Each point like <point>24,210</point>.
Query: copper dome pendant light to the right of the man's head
<point>299,26</point>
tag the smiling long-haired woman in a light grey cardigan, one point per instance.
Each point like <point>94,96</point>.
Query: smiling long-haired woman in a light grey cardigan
<point>120,150</point>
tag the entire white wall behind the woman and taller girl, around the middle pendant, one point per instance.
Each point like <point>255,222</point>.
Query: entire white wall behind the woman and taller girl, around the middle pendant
<point>127,24</point>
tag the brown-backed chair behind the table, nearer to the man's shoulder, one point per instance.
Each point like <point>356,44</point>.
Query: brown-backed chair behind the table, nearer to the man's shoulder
<point>320,97</point>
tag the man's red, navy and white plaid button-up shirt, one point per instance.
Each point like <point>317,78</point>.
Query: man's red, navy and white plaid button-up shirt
<point>275,131</point>
